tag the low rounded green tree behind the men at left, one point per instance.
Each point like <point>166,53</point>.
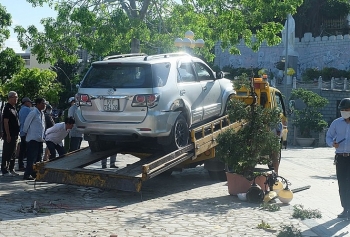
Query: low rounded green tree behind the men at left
<point>35,83</point>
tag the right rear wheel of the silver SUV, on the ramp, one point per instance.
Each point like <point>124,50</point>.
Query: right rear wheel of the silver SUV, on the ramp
<point>179,135</point>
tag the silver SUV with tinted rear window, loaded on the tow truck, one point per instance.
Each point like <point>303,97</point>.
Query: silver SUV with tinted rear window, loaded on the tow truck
<point>153,99</point>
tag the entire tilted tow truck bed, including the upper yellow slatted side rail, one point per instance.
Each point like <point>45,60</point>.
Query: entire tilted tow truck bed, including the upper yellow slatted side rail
<point>69,169</point>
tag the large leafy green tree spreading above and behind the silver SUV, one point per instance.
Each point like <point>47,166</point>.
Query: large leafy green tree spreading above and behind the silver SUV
<point>103,27</point>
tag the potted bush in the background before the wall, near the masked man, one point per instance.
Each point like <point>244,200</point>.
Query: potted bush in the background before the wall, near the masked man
<point>307,118</point>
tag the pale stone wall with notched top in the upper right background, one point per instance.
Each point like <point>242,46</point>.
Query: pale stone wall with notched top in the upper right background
<point>314,52</point>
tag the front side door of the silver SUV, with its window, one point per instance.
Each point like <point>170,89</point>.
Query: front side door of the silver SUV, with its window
<point>211,90</point>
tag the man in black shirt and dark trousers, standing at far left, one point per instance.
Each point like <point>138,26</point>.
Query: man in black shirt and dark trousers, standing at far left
<point>10,123</point>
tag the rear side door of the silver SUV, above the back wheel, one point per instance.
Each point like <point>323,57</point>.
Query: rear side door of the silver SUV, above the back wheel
<point>190,89</point>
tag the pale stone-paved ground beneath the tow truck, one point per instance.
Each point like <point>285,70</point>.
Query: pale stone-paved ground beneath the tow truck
<point>185,204</point>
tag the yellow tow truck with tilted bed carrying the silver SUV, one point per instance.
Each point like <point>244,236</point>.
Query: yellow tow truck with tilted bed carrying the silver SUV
<point>70,169</point>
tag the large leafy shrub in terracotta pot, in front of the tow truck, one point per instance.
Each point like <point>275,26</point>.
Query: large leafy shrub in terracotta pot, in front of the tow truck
<point>241,149</point>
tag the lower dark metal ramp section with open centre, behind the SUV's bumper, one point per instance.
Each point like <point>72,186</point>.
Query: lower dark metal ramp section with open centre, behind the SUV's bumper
<point>69,169</point>
